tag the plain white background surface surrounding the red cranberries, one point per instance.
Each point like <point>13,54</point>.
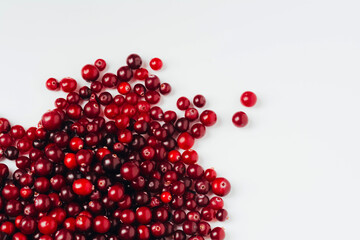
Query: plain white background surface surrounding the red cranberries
<point>295,168</point>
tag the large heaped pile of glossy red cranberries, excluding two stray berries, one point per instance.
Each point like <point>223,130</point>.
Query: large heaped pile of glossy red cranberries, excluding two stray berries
<point>102,167</point>
